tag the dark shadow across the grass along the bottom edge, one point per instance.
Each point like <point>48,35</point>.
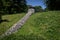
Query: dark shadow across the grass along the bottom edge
<point>23,37</point>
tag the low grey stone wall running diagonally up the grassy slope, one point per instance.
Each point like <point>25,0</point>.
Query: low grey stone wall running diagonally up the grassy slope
<point>17,25</point>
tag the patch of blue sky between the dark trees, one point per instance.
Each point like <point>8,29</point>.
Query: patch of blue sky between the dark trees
<point>36,3</point>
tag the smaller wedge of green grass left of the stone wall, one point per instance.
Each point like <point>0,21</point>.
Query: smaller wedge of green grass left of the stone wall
<point>9,21</point>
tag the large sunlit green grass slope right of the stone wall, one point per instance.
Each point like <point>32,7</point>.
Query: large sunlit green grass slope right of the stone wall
<point>40,26</point>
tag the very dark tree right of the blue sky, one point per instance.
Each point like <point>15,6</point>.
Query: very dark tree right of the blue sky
<point>53,4</point>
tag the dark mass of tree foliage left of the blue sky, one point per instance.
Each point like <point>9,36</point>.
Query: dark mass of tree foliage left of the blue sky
<point>12,6</point>
